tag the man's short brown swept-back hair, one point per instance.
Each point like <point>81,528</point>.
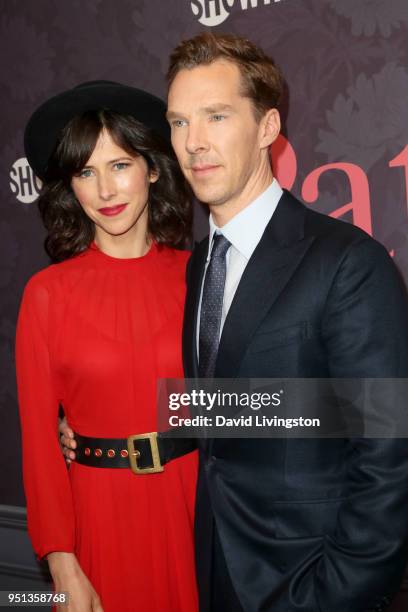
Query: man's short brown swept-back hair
<point>261,79</point>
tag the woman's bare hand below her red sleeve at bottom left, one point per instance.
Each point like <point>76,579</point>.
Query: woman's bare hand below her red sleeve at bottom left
<point>69,577</point>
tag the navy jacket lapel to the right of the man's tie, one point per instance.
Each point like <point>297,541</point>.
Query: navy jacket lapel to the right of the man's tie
<point>274,261</point>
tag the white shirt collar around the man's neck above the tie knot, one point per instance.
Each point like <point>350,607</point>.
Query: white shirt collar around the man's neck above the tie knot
<point>245,230</point>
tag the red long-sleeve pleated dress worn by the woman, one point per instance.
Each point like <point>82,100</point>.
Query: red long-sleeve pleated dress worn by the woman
<point>94,334</point>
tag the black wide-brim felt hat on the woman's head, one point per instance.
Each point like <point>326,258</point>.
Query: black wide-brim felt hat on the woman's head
<point>46,123</point>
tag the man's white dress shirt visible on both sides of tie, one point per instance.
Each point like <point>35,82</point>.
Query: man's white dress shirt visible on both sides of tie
<point>244,231</point>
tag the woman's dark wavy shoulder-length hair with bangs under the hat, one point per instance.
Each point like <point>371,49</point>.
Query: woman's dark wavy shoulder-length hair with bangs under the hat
<point>69,230</point>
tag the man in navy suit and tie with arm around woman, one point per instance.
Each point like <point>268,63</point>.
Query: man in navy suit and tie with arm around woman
<point>277,290</point>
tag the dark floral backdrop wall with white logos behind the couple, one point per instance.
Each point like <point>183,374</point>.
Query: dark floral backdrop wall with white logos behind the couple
<point>343,150</point>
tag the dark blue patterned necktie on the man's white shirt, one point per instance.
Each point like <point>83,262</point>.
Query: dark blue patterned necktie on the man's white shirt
<point>211,306</point>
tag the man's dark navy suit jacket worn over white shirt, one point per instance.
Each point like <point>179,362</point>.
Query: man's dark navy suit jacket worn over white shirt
<point>307,525</point>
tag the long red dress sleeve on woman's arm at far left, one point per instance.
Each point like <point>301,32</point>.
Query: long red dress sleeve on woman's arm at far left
<point>51,524</point>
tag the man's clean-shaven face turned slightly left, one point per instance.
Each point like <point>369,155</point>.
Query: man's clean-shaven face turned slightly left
<point>219,144</point>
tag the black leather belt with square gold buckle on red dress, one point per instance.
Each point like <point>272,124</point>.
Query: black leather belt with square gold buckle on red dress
<point>143,453</point>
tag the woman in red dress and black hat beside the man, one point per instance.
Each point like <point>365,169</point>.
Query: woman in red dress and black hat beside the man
<point>96,330</point>
